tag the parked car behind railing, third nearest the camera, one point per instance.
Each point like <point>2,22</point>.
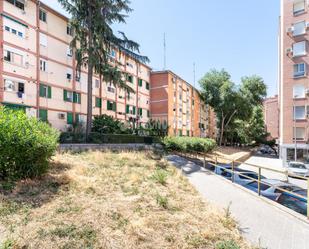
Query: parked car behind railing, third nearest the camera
<point>242,176</point>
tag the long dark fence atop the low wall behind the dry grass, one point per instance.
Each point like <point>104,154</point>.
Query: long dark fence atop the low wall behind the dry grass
<point>99,138</point>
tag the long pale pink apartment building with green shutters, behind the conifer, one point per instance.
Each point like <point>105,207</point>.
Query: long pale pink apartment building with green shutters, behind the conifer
<point>38,71</point>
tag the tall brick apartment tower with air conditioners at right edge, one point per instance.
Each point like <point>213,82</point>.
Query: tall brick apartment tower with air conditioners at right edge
<point>293,80</point>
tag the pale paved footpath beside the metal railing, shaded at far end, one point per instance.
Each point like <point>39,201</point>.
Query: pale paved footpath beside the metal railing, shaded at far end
<point>263,224</point>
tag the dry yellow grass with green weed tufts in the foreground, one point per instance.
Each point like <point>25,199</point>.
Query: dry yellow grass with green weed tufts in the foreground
<point>110,200</point>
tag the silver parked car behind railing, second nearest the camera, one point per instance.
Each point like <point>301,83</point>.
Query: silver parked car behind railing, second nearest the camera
<point>269,188</point>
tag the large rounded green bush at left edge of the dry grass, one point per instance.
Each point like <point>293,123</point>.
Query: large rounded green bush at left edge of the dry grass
<point>26,145</point>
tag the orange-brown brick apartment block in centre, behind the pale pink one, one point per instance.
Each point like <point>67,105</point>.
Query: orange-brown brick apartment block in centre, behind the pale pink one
<point>177,104</point>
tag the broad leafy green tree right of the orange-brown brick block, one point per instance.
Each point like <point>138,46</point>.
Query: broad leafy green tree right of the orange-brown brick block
<point>229,101</point>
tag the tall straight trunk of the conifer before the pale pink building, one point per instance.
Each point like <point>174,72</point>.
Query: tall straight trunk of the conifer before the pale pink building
<point>90,74</point>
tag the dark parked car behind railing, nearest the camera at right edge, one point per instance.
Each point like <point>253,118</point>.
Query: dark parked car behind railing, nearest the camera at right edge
<point>294,202</point>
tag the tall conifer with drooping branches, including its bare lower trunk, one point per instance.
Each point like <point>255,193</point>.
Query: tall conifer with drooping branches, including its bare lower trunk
<point>94,39</point>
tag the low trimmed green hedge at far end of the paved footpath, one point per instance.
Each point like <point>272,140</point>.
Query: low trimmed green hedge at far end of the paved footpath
<point>189,144</point>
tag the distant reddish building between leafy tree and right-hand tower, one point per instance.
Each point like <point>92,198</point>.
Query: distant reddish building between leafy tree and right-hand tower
<point>271,116</point>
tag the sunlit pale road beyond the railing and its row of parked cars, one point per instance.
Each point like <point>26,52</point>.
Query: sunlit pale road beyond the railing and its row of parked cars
<point>272,163</point>
